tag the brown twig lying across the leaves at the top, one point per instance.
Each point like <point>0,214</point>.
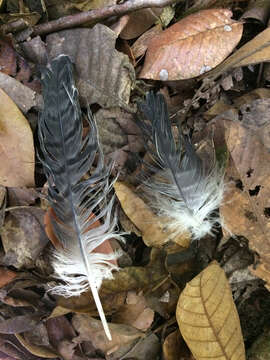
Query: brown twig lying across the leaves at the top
<point>99,14</point>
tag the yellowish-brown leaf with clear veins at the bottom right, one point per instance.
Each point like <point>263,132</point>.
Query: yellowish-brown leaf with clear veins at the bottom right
<point>207,317</point>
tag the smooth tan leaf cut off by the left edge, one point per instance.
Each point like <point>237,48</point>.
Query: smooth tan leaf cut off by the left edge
<point>17,148</point>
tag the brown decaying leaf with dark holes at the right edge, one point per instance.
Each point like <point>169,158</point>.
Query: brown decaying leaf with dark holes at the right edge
<point>251,160</point>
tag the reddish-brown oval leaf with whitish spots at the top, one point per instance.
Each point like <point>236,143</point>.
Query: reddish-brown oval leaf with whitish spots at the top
<point>192,46</point>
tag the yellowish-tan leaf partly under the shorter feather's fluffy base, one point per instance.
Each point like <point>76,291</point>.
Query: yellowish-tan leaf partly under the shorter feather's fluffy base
<point>153,228</point>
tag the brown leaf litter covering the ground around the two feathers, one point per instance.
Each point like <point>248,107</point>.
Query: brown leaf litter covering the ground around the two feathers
<point>210,69</point>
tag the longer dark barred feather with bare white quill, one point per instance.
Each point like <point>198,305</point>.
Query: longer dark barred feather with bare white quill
<point>67,157</point>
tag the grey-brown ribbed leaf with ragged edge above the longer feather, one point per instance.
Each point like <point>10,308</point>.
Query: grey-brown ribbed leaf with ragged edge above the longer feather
<point>104,75</point>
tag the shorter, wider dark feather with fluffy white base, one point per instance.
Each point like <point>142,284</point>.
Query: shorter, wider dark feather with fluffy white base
<point>184,190</point>
